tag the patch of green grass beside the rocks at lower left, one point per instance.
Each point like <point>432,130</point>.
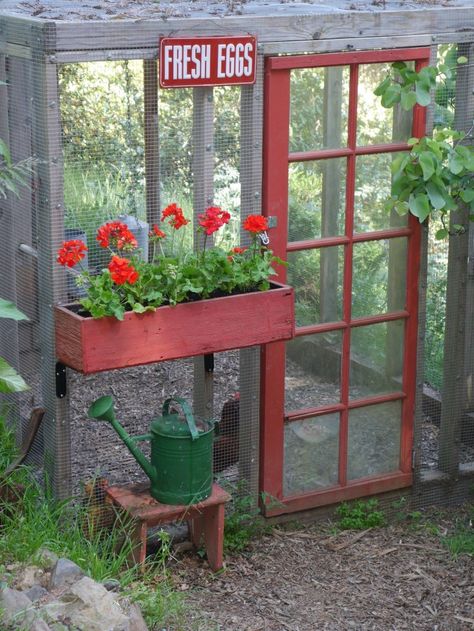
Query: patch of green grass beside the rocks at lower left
<point>38,520</point>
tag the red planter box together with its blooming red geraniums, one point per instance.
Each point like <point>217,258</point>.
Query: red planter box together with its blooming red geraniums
<point>178,303</point>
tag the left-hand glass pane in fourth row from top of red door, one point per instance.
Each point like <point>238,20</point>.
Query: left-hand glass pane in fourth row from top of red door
<point>313,371</point>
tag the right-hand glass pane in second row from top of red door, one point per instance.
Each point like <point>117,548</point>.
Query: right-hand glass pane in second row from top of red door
<point>372,189</point>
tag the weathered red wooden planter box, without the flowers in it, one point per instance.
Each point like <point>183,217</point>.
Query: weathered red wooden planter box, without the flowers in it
<point>187,329</point>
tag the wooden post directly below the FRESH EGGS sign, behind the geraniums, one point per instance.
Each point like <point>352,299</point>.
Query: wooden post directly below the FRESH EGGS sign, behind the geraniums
<point>203,193</point>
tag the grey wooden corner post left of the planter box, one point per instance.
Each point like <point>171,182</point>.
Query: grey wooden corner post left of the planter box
<point>52,285</point>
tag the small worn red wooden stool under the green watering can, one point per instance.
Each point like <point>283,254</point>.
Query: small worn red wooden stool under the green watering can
<point>204,518</point>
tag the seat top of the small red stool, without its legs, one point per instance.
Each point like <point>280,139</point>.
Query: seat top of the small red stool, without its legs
<point>137,501</point>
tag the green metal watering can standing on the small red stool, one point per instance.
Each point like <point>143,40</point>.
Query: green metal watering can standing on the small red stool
<point>180,469</point>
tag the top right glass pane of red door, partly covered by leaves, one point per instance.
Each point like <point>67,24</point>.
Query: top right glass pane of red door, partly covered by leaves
<point>377,124</point>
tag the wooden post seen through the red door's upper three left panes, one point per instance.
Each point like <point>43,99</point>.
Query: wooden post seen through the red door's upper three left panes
<point>330,196</point>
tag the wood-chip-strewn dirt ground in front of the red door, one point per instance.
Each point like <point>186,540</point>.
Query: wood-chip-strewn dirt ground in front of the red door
<point>311,579</point>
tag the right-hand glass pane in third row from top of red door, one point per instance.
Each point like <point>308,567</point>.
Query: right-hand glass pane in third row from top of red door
<point>379,277</point>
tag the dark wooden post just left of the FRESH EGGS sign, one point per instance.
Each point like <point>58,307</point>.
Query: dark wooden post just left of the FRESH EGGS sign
<point>152,146</point>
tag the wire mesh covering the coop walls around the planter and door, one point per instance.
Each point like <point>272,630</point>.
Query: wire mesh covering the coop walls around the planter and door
<point>110,144</point>
